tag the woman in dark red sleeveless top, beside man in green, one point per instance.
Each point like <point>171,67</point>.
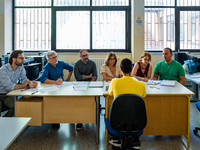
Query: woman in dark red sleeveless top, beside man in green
<point>142,69</point>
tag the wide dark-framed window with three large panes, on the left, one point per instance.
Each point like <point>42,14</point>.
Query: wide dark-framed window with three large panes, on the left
<point>71,25</point>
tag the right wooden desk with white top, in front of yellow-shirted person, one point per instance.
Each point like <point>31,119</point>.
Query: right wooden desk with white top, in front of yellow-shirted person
<point>168,110</point>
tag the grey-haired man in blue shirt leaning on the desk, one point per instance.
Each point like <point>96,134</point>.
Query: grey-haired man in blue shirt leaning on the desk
<point>53,70</point>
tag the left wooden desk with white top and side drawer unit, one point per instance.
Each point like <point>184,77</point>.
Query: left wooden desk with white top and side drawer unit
<point>62,106</point>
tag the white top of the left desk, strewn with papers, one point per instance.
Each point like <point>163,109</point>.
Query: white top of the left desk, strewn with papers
<point>62,91</point>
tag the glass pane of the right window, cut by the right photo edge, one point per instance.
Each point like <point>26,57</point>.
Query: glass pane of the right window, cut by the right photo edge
<point>189,29</point>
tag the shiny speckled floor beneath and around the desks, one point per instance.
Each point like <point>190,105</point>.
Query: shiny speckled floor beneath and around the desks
<point>48,137</point>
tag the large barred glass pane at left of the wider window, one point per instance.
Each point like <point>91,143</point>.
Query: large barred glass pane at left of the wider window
<point>32,29</point>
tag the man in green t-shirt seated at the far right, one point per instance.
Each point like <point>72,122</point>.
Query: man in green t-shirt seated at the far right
<point>169,69</point>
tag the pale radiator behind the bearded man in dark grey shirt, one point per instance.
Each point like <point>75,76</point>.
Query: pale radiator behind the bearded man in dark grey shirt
<point>99,62</point>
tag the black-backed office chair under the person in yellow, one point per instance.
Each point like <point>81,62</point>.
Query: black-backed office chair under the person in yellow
<point>127,114</point>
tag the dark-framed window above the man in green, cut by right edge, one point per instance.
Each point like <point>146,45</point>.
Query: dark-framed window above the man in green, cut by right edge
<point>172,23</point>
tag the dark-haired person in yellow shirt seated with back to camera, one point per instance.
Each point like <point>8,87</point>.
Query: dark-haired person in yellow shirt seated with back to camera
<point>126,85</point>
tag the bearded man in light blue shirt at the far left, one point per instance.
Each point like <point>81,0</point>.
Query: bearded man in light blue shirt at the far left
<point>10,75</point>
